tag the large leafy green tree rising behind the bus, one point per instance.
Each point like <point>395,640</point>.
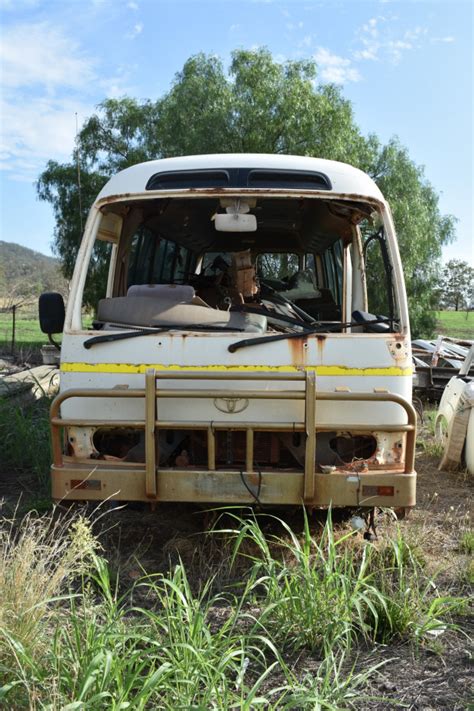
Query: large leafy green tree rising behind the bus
<point>260,105</point>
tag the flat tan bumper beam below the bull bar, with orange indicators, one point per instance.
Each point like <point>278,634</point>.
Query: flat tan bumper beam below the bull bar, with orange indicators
<point>83,482</point>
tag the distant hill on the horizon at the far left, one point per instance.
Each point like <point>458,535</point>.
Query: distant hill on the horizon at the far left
<point>24,274</point>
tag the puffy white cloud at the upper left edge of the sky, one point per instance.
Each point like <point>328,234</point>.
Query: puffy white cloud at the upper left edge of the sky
<point>40,54</point>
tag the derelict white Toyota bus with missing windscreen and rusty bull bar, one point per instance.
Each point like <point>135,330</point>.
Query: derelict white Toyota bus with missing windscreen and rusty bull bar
<point>252,344</point>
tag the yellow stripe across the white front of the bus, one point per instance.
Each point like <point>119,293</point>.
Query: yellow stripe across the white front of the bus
<point>143,367</point>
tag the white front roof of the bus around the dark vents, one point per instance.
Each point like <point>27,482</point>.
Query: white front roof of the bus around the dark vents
<point>343,178</point>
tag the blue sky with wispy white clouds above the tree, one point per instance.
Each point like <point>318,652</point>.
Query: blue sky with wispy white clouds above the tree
<point>406,66</point>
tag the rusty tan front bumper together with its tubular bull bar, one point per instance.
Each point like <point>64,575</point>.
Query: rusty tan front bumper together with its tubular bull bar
<point>85,480</point>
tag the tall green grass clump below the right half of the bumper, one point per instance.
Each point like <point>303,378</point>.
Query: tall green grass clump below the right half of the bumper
<point>326,594</point>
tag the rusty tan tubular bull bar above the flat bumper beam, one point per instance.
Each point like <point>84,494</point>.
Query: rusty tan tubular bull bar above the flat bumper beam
<point>153,393</point>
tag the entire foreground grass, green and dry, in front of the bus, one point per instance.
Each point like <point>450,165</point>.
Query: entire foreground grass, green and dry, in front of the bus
<point>70,639</point>
